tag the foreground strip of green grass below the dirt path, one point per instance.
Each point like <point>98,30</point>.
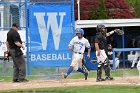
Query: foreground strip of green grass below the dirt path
<point>83,89</point>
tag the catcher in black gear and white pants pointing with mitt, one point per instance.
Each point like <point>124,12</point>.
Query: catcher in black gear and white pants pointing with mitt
<point>101,51</point>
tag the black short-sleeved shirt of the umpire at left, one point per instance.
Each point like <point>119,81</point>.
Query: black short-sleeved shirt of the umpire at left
<point>12,37</point>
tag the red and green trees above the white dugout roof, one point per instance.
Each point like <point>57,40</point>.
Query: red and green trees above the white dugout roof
<point>104,9</point>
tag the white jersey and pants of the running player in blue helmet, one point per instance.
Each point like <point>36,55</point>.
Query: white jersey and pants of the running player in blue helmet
<point>79,46</point>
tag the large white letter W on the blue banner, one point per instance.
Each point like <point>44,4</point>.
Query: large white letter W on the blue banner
<point>53,24</point>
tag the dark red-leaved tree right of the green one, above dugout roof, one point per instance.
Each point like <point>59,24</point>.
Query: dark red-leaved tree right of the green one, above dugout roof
<point>120,9</point>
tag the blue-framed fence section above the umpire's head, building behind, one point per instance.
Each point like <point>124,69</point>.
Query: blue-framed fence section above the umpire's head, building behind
<point>12,12</point>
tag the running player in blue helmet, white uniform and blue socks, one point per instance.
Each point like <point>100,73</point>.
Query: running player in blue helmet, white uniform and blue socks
<point>78,45</point>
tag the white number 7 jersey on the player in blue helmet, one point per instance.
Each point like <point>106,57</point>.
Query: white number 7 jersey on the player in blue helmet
<point>79,45</point>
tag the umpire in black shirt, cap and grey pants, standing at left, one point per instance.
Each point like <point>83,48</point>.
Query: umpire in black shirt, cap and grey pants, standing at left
<point>14,44</point>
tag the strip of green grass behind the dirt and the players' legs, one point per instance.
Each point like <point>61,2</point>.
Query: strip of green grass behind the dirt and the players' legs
<point>42,73</point>
